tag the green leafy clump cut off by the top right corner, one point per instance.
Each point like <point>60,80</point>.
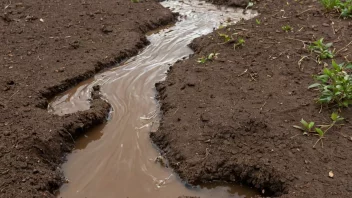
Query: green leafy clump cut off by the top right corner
<point>342,6</point>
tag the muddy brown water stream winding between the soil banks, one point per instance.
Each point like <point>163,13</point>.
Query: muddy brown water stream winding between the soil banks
<point>117,159</point>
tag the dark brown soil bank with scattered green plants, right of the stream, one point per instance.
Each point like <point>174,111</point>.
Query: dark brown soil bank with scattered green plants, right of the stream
<point>231,119</point>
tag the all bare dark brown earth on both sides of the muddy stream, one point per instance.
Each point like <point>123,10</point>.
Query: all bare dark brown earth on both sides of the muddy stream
<point>229,119</point>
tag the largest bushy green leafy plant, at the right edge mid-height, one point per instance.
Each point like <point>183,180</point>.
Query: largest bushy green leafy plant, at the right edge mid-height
<point>335,85</point>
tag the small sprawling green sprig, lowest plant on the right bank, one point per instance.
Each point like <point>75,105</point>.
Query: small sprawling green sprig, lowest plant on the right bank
<point>321,130</point>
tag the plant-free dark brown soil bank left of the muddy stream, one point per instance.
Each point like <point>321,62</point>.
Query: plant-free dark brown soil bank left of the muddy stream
<point>46,48</point>
